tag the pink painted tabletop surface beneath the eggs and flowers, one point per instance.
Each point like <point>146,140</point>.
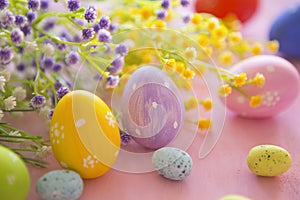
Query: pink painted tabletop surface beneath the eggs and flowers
<point>224,170</point>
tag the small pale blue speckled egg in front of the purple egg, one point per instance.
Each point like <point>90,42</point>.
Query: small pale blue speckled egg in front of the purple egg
<point>172,163</point>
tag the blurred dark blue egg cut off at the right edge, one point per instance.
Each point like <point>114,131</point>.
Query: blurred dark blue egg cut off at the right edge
<point>286,30</point>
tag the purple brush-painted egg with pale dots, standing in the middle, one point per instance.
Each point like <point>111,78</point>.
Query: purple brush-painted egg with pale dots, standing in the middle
<point>152,108</point>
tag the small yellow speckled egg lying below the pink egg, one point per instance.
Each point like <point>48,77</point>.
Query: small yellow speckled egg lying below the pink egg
<point>269,160</point>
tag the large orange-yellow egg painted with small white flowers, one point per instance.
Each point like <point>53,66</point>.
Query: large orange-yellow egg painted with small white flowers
<point>84,134</point>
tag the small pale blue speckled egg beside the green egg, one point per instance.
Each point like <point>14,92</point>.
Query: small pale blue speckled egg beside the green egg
<point>60,185</point>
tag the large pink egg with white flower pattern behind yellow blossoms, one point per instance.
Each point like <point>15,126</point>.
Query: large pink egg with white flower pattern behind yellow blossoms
<point>278,93</point>
